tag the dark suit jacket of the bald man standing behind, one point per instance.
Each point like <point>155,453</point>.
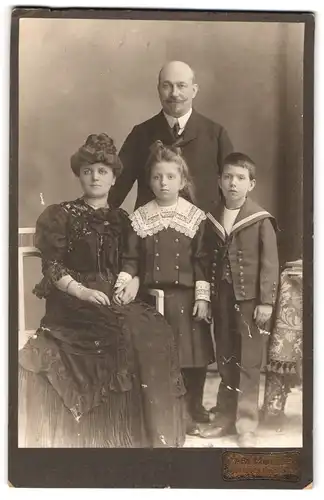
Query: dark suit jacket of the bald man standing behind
<point>204,145</point>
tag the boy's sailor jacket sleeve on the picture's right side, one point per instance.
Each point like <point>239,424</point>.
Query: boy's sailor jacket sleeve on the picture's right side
<point>269,269</point>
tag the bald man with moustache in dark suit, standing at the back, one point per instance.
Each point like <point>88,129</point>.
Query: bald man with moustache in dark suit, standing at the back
<point>204,143</point>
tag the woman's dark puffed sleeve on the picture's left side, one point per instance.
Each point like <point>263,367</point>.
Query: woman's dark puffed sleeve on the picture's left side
<point>51,240</point>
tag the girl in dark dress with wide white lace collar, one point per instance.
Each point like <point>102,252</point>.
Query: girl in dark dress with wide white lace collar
<point>165,250</point>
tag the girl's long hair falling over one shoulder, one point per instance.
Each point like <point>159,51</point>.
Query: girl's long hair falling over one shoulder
<point>160,153</point>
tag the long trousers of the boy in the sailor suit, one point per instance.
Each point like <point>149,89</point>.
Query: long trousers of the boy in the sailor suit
<point>239,352</point>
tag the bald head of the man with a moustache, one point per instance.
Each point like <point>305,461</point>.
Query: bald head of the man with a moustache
<point>177,88</point>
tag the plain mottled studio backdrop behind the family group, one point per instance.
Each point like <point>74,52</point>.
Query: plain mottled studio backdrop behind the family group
<point>78,77</point>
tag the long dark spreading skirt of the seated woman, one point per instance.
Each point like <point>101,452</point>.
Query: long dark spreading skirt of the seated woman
<point>138,403</point>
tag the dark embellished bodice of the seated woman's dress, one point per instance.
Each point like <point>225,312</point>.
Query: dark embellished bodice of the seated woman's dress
<point>76,239</point>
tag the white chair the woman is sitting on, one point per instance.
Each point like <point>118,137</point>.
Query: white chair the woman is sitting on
<point>27,249</point>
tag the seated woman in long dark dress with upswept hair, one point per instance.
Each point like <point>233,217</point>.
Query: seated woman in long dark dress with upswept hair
<point>100,371</point>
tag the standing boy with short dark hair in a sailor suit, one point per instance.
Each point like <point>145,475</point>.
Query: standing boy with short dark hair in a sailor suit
<point>244,272</point>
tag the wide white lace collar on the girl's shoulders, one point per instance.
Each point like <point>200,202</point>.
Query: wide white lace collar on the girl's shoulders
<point>183,217</point>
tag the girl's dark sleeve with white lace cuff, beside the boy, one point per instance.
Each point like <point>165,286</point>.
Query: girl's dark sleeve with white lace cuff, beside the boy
<point>200,256</point>
